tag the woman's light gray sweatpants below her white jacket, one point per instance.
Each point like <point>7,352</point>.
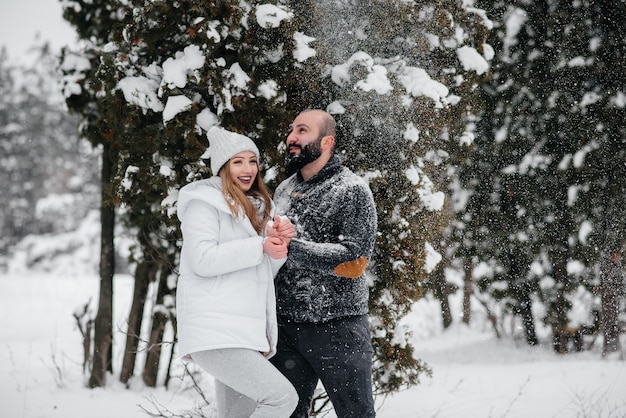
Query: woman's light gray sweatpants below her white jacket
<point>247,385</point>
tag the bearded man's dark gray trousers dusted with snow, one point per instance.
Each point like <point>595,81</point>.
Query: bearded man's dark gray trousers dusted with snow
<point>338,353</point>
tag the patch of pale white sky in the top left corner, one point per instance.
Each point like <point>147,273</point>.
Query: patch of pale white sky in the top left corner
<point>23,23</point>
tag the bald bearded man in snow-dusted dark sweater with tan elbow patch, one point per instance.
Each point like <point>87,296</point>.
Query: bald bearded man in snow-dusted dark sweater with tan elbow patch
<point>322,294</point>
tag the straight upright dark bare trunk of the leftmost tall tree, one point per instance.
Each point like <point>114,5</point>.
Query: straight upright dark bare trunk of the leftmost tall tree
<point>103,324</point>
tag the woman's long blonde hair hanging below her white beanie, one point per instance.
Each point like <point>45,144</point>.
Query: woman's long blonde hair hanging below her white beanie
<point>238,201</point>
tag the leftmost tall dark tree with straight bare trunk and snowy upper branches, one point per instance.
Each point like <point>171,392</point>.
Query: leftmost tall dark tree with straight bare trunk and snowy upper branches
<point>85,91</point>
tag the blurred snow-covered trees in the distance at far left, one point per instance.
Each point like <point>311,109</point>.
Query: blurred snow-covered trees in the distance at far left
<point>46,172</point>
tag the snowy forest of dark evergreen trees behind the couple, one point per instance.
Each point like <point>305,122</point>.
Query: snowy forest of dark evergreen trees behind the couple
<point>491,134</point>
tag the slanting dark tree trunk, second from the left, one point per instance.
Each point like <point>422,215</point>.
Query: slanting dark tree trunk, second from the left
<point>145,273</point>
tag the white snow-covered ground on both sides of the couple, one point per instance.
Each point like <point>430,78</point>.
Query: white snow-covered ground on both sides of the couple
<point>474,373</point>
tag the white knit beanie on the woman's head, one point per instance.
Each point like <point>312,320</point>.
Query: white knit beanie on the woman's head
<point>223,145</point>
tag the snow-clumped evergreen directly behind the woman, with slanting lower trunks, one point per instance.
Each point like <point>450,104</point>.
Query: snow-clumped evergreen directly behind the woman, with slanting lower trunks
<point>169,73</point>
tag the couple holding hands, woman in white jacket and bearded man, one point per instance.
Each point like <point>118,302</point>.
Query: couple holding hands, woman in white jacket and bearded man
<point>279,280</point>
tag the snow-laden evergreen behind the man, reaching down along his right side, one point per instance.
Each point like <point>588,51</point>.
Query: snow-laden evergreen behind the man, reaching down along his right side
<point>400,78</point>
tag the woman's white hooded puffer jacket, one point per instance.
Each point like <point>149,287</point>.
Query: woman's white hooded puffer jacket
<point>225,295</point>
